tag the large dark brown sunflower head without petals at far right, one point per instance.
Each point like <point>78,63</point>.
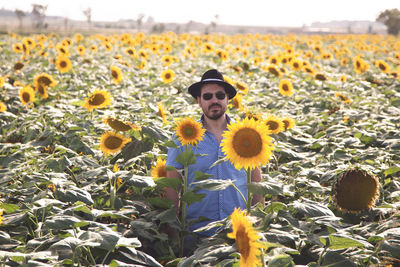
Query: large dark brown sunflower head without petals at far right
<point>356,190</point>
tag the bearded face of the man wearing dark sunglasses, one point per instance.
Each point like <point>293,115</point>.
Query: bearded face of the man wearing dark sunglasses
<point>213,108</point>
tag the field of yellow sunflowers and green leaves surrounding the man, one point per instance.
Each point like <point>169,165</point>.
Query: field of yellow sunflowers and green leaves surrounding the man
<point>86,122</point>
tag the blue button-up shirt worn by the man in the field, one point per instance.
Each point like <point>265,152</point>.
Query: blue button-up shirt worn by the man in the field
<point>216,205</point>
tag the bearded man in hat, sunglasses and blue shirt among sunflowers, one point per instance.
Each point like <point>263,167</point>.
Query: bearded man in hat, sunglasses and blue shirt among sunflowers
<point>212,94</point>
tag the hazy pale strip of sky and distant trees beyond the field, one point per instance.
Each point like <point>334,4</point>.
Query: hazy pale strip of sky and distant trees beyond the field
<point>231,17</point>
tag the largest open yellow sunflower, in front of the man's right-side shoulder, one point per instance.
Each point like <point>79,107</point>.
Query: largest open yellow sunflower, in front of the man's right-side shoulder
<point>247,144</point>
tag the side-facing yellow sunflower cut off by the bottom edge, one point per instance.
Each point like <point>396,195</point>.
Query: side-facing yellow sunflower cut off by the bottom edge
<point>246,239</point>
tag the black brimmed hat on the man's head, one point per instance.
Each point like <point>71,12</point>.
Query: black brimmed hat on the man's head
<point>211,76</point>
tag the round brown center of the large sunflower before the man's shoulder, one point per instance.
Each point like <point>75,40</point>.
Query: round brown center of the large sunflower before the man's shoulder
<point>247,143</point>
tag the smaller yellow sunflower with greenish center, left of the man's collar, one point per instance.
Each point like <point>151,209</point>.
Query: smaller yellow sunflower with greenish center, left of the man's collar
<point>189,131</point>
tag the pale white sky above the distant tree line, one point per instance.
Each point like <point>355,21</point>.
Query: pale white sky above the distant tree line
<point>287,13</point>
